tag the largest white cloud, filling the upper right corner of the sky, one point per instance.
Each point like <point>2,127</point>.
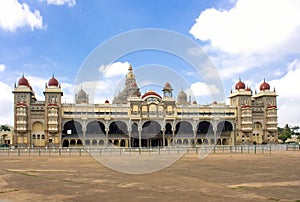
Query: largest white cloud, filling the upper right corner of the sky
<point>251,26</point>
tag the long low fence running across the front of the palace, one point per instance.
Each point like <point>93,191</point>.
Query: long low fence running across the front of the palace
<point>254,149</point>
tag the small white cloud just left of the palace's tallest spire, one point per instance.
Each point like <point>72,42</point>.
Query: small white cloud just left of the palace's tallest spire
<point>114,69</point>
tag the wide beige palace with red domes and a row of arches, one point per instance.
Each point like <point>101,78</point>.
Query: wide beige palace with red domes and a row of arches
<point>148,120</point>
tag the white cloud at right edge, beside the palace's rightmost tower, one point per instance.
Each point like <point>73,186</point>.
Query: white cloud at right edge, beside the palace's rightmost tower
<point>288,95</point>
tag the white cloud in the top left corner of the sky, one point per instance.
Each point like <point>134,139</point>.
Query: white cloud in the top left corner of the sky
<point>15,15</point>
